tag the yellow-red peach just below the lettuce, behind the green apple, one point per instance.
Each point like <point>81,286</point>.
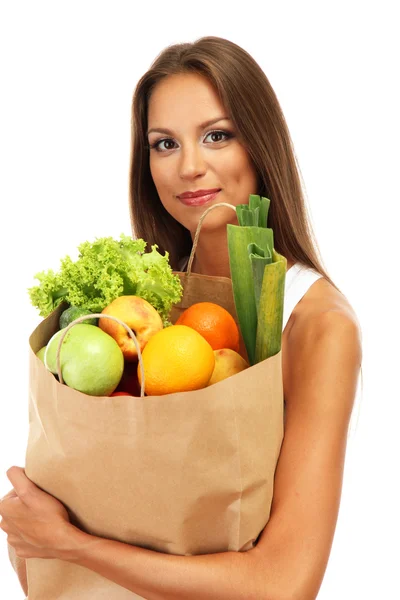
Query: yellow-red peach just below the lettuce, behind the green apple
<point>139,315</point>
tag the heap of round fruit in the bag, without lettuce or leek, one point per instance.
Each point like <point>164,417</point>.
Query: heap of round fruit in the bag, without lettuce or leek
<point>101,359</point>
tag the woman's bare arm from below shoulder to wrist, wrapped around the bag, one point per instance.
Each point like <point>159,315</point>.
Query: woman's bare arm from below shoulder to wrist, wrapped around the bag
<point>290,559</point>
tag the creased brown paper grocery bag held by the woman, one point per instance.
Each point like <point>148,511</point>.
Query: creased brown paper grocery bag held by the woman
<point>186,473</point>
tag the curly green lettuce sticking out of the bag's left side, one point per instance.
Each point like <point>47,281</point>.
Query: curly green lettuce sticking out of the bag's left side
<point>105,269</point>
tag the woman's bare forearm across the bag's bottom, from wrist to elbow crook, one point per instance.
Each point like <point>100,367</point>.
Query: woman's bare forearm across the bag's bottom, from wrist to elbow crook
<point>158,576</point>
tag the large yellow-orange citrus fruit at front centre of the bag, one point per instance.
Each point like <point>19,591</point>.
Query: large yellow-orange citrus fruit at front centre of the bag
<point>176,359</point>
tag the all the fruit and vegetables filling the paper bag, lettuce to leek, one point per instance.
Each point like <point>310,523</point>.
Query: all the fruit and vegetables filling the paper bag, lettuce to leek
<point>119,279</point>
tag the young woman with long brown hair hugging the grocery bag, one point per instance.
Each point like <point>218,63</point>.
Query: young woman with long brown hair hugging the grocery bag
<point>207,128</point>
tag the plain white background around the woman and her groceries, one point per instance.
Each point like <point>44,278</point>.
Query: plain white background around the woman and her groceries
<point>68,71</point>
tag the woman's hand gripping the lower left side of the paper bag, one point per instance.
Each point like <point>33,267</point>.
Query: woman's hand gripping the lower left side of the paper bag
<point>36,524</point>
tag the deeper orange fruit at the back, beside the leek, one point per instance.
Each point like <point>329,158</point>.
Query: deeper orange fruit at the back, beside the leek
<point>214,323</point>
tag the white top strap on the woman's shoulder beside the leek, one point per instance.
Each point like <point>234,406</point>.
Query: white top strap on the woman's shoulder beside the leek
<point>298,281</point>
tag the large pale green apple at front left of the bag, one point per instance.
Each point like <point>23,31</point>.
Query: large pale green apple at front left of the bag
<point>91,360</point>
